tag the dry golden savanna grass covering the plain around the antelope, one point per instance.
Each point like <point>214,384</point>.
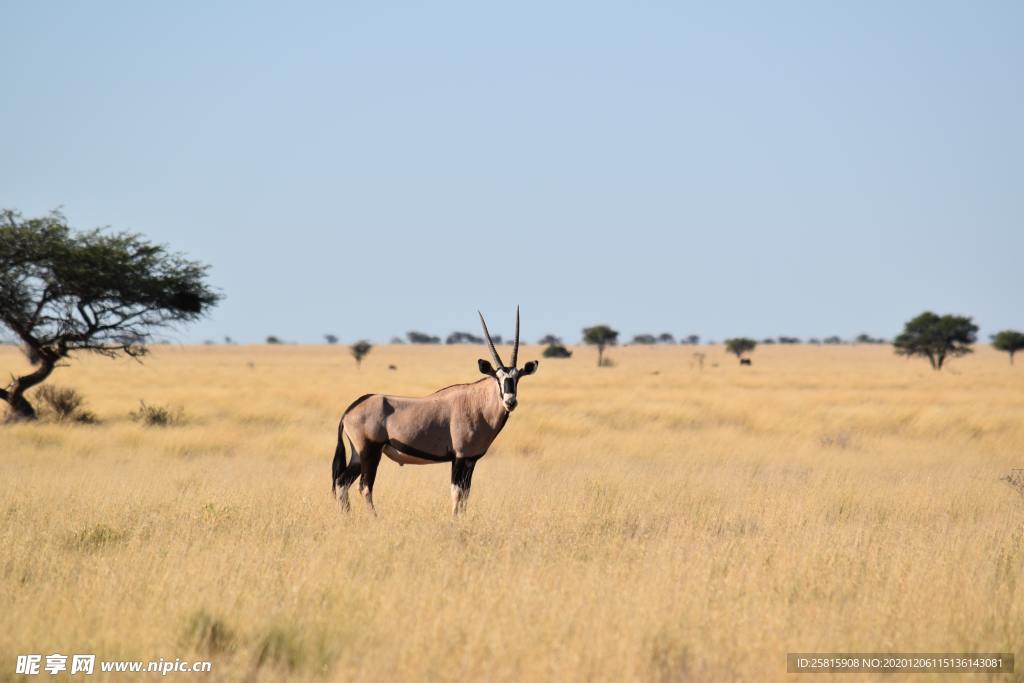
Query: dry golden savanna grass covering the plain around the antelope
<point>650,522</point>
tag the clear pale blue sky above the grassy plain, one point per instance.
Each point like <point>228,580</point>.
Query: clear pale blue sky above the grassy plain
<point>369,168</point>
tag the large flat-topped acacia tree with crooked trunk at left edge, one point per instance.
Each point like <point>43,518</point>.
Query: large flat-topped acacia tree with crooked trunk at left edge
<point>64,291</point>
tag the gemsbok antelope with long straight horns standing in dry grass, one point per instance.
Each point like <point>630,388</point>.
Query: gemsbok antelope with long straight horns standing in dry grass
<point>455,425</point>
